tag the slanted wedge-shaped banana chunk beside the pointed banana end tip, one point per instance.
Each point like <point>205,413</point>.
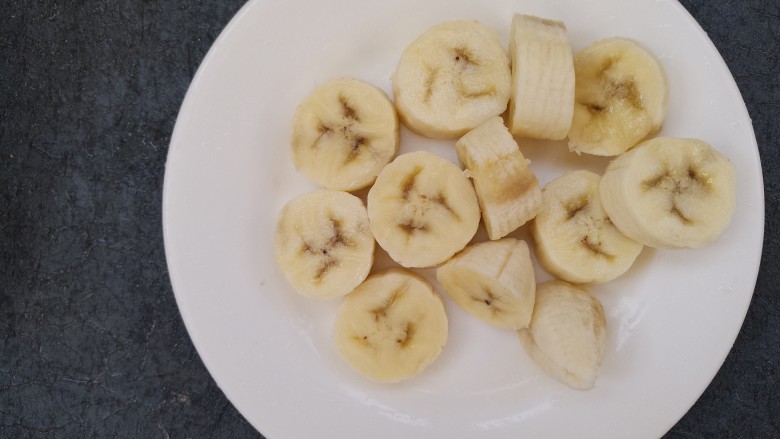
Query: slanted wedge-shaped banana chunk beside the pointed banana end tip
<point>492,280</point>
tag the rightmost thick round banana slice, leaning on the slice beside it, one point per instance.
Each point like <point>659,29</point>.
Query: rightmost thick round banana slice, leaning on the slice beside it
<point>669,192</point>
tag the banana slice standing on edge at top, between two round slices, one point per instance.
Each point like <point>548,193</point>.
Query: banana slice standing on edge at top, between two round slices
<point>542,101</point>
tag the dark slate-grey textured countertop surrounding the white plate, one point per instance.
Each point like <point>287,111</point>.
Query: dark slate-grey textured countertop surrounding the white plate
<point>91,341</point>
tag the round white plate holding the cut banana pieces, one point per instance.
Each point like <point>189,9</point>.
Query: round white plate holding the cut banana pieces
<point>672,319</point>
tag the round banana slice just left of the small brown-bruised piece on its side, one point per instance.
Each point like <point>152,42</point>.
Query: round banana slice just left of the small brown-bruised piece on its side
<point>422,209</point>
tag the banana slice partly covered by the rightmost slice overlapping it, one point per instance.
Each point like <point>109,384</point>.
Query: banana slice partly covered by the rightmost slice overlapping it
<point>574,238</point>
